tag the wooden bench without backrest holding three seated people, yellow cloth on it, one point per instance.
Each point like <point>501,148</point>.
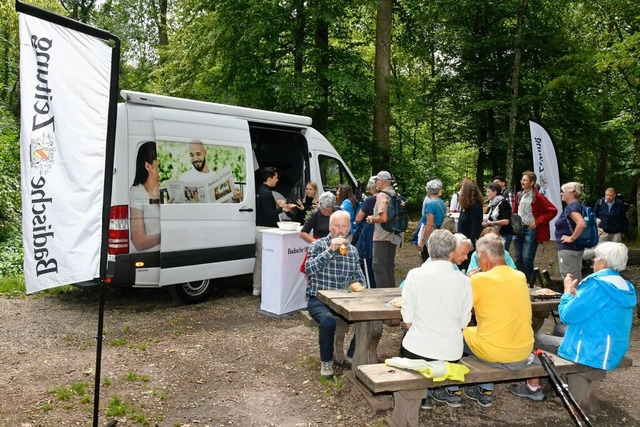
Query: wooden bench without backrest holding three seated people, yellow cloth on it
<point>408,387</point>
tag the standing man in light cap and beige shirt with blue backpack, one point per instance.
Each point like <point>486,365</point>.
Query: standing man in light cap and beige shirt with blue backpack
<point>384,242</point>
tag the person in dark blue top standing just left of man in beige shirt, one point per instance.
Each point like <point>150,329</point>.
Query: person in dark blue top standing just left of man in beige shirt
<point>364,233</point>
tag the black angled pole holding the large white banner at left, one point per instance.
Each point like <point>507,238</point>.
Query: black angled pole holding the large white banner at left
<point>103,280</point>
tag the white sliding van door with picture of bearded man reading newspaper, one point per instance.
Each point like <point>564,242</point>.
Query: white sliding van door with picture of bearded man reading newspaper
<point>207,211</point>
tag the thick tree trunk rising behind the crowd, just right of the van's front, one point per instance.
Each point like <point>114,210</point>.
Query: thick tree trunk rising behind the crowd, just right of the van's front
<point>381,113</point>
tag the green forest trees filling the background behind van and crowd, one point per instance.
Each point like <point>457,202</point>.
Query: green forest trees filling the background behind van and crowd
<point>423,89</point>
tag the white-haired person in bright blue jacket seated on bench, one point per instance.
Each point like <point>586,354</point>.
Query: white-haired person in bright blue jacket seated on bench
<point>598,312</point>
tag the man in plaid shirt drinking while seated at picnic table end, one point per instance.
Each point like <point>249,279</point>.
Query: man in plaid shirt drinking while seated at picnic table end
<point>328,269</point>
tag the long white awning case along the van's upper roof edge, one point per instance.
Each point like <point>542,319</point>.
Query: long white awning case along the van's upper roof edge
<point>210,107</point>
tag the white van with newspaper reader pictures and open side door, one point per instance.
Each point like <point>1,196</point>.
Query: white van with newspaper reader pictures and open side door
<point>206,217</point>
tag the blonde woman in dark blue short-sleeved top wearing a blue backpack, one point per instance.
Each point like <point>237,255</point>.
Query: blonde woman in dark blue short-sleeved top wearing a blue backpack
<point>569,226</point>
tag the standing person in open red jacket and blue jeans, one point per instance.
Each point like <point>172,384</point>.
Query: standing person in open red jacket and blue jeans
<point>536,212</point>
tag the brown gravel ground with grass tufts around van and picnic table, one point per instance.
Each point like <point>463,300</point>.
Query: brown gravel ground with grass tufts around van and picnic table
<point>222,363</point>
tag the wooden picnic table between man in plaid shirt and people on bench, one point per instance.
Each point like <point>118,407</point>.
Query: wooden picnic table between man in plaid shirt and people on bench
<point>370,308</point>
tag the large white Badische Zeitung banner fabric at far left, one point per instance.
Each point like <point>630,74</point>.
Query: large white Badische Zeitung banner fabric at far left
<point>64,92</point>
